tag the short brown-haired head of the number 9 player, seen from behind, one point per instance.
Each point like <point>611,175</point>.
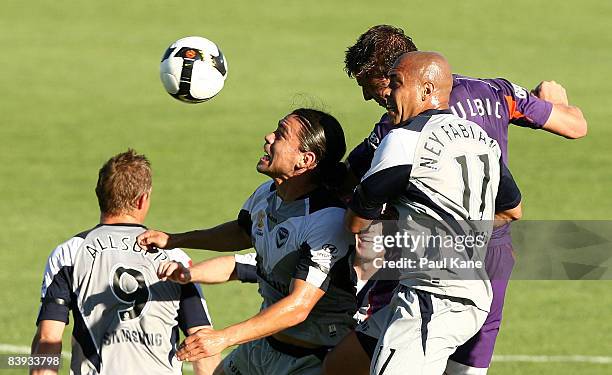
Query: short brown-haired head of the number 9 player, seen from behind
<point>124,185</point>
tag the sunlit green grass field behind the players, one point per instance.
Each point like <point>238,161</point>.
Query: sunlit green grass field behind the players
<point>80,83</point>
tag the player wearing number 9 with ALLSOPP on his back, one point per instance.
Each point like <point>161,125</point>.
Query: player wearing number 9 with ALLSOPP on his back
<point>125,319</point>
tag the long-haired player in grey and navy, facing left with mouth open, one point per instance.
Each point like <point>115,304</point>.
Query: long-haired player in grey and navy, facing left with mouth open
<point>303,255</point>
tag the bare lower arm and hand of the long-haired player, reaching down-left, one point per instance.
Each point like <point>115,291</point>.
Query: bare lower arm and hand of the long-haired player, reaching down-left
<point>287,312</point>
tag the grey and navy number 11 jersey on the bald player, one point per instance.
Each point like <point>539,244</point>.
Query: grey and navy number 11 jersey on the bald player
<point>441,173</point>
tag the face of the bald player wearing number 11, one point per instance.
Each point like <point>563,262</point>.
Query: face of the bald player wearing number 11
<point>403,101</point>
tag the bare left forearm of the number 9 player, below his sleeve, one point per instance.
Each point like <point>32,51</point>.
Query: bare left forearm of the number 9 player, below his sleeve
<point>47,341</point>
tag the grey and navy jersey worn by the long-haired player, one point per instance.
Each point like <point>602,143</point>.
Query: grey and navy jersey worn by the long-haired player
<point>304,239</point>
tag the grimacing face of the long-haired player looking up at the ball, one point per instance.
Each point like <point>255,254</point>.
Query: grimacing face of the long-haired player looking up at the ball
<point>282,152</point>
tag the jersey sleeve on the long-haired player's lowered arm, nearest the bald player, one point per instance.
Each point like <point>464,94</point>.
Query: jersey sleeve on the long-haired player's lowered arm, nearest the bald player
<point>324,249</point>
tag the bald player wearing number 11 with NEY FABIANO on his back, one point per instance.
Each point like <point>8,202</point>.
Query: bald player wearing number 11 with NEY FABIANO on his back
<point>443,175</point>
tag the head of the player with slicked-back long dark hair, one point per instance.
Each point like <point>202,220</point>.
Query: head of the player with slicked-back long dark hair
<point>305,141</point>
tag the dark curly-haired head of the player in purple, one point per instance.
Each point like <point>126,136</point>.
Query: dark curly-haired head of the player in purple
<point>372,56</point>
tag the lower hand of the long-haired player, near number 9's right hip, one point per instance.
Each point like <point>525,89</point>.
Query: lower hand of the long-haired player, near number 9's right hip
<point>204,343</point>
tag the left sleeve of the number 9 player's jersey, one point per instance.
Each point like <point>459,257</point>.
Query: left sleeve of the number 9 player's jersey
<point>56,291</point>
